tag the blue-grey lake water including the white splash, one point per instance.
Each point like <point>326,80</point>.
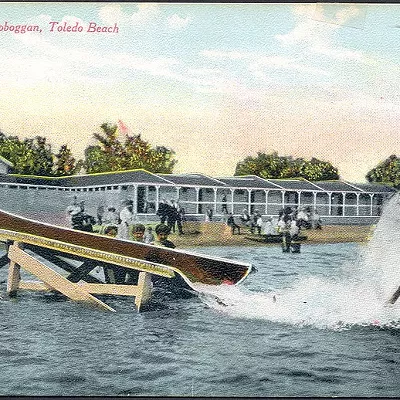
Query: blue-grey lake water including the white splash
<point>328,333</point>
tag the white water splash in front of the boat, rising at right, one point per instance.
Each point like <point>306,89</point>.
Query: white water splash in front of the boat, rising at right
<point>360,298</point>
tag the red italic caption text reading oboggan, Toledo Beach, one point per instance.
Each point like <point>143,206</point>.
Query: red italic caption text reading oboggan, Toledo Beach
<point>54,26</point>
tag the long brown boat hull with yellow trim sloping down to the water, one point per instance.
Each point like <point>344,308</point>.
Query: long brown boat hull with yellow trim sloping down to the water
<point>194,268</point>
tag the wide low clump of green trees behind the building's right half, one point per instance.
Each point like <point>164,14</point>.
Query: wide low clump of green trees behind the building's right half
<point>278,167</point>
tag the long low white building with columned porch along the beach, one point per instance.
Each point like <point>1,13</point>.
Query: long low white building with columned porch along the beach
<point>338,202</point>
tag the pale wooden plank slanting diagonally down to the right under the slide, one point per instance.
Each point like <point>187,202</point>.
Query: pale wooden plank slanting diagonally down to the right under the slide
<point>53,279</point>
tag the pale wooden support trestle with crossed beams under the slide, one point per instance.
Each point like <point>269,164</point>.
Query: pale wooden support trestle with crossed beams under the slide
<point>74,286</point>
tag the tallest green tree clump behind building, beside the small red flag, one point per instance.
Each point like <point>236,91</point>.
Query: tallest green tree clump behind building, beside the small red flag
<point>134,152</point>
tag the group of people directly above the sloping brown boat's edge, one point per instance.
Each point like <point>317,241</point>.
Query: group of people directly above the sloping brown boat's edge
<point>121,225</point>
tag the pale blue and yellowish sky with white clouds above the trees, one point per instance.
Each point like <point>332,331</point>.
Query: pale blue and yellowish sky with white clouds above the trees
<point>214,82</point>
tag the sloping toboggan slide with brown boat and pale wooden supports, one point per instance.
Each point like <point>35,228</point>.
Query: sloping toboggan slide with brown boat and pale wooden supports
<point>30,242</point>
